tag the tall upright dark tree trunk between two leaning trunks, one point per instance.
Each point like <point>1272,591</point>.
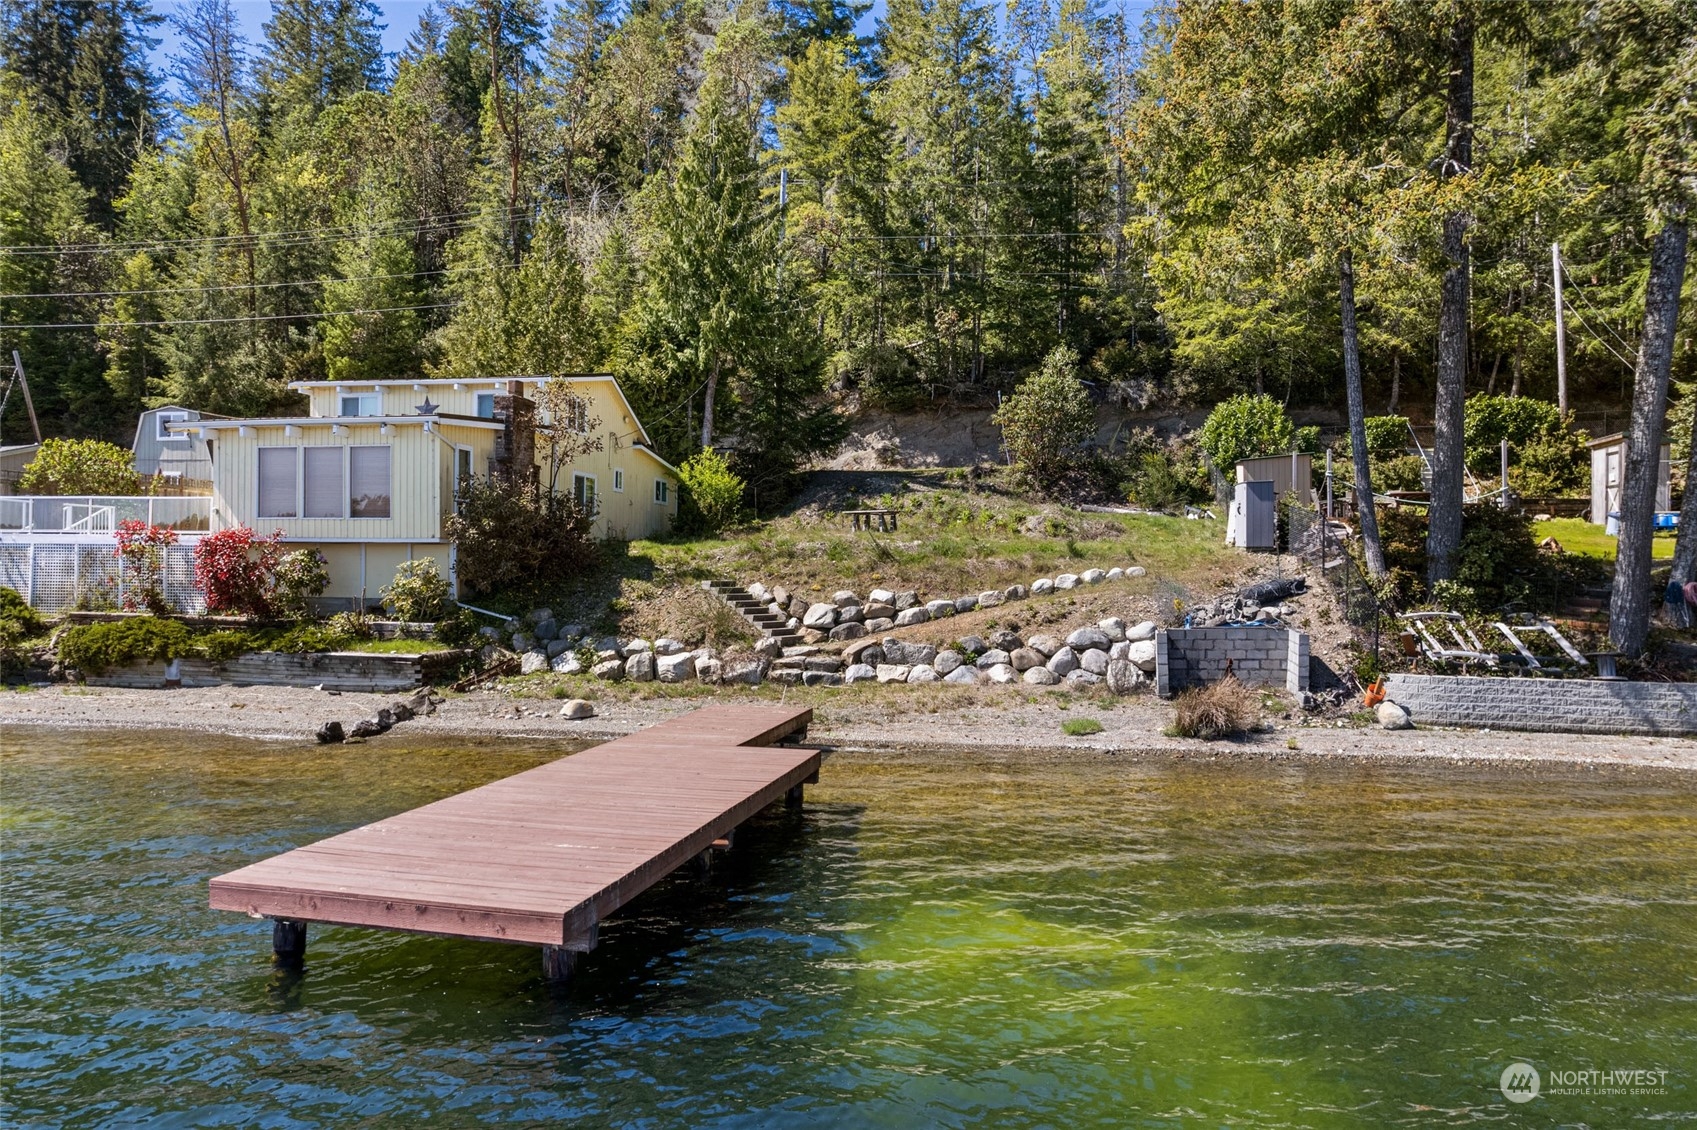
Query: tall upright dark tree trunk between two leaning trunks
<point>1443,535</point>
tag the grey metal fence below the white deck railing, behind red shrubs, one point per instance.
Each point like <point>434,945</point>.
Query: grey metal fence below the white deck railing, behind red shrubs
<point>59,578</point>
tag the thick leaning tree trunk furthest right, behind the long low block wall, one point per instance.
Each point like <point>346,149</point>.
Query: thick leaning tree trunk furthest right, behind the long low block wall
<point>1630,603</point>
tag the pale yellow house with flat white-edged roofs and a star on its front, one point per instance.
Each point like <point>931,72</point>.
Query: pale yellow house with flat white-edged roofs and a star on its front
<point>369,476</point>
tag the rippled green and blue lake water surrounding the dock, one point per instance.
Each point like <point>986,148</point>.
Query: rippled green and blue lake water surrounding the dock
<point>933,943</point>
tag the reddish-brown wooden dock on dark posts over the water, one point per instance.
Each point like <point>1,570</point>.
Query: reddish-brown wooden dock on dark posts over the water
<point>546,856</point>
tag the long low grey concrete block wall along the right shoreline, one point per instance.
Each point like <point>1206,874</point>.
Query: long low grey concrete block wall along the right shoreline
<point>1549,705</point>
